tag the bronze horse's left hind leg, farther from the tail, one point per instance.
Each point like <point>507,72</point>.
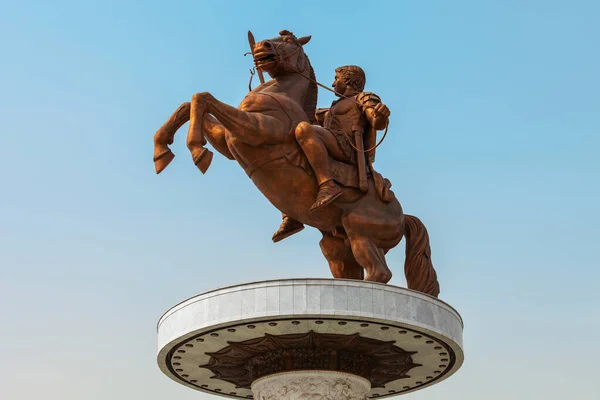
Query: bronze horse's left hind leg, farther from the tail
<point>340,258</point>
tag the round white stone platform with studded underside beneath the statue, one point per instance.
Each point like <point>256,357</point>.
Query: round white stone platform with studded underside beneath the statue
<point>227,341</point>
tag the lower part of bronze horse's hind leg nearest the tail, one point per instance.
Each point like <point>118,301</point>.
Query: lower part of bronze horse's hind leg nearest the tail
<point>372,259</point>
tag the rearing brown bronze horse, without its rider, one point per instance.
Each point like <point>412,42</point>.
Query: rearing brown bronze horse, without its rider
<point>358,228</point>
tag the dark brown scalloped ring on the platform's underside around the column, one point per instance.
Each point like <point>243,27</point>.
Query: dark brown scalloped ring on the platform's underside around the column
<point>241,363</point>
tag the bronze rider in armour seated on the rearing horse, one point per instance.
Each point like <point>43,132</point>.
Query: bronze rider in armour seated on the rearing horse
<point>354,111</point>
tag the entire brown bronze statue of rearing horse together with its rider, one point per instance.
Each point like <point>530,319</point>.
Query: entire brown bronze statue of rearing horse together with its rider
<point>314,165</point>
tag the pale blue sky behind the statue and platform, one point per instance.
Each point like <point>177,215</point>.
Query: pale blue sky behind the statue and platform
<point>494,143</point>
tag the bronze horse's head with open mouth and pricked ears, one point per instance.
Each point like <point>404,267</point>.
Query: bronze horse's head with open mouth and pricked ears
<point>281,55</point>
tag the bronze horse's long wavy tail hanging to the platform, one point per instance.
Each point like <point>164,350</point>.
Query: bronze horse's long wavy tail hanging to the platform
<point>418,268</point>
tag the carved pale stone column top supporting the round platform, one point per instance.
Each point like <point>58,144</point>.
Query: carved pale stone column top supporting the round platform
<point>311,385</point>
